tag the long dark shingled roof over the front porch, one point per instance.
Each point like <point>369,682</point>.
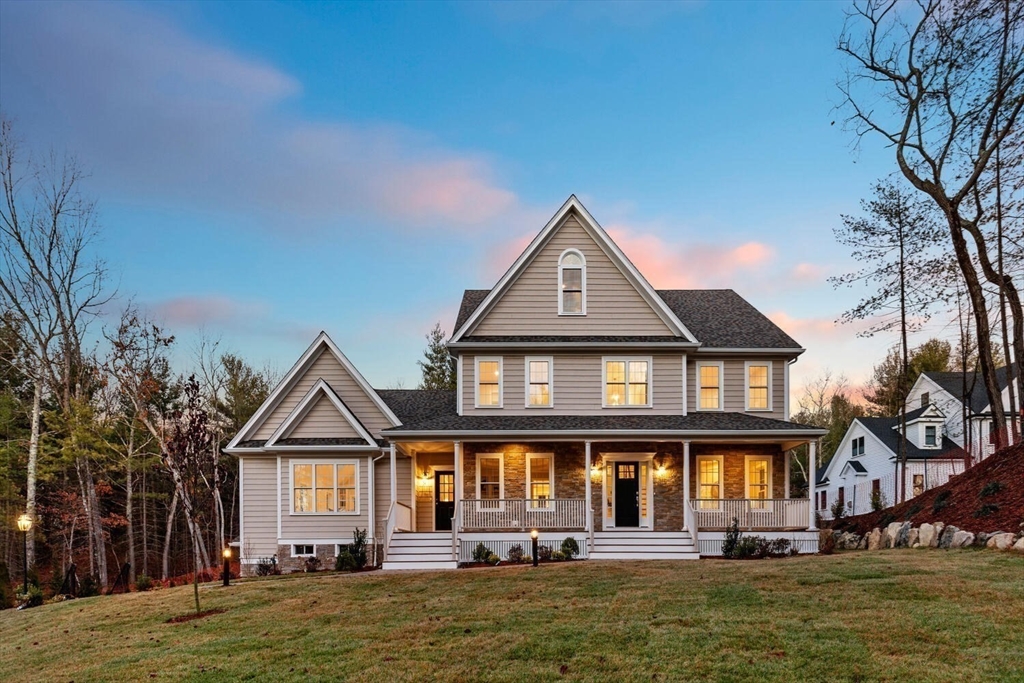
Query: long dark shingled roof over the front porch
<point>737,425</point>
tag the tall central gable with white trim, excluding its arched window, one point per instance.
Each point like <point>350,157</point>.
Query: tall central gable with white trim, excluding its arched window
<point>526,302</point>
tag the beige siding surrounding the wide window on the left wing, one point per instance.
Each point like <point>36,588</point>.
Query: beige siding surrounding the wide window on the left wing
<point>322,528</point>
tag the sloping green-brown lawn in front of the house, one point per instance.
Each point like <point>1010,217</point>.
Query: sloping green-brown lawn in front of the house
<point>892,616</point>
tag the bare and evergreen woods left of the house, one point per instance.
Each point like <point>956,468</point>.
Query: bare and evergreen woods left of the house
<point>98,432</point>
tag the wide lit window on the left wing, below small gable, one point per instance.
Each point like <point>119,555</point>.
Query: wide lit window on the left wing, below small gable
<point>325,488</point>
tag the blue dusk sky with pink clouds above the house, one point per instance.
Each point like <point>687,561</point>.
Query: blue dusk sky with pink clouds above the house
<point>267,170</point>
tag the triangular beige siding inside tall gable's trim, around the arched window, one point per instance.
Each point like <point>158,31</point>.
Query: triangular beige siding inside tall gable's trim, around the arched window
<point>530,307</point>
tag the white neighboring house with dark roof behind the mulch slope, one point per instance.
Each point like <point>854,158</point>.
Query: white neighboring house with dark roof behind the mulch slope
<point>938,445</point>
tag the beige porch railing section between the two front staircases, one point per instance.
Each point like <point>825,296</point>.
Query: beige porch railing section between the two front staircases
<point>523,516</point>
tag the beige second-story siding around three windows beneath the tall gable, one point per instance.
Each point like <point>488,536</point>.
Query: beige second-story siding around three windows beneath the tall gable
<point>578,388</point>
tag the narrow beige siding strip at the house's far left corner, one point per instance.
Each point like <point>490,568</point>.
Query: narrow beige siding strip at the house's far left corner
<point>260,502</point>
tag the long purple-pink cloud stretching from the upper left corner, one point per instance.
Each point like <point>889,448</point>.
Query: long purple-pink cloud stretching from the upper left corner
<point>164,117</point>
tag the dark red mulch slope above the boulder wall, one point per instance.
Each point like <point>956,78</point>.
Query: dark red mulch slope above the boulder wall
<point>964,500</point>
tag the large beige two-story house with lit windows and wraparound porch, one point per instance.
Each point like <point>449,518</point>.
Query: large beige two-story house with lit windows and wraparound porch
<point>589,405</point>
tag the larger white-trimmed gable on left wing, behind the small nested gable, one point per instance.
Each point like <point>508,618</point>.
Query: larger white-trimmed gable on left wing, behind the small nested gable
<point>322,361</point>
